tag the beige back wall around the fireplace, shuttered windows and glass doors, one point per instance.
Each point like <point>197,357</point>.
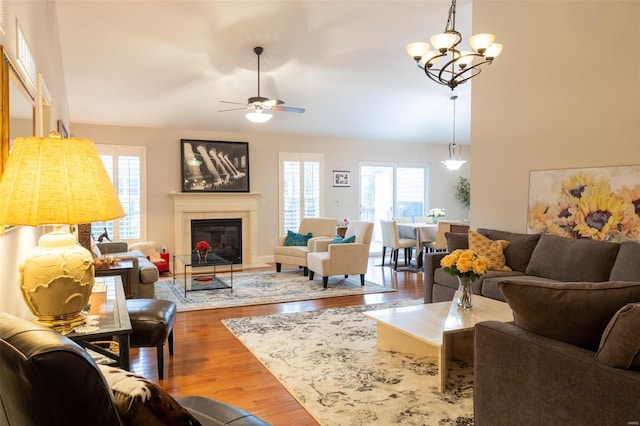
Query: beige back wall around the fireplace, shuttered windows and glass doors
<point>163,172</point>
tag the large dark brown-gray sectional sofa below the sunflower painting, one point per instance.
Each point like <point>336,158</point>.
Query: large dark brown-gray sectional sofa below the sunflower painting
<point>572,356</point>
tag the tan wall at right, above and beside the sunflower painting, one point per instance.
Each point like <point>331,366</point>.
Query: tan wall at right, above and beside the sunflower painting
<point>565,93</point>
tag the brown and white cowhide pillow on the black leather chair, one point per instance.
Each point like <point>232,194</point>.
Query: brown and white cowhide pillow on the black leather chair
<point>142,402</point>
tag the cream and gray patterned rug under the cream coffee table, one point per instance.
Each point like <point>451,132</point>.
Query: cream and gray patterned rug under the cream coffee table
<point>328,360</point>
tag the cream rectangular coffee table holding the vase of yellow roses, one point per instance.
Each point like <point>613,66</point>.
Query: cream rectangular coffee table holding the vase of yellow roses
<point>441,329</point>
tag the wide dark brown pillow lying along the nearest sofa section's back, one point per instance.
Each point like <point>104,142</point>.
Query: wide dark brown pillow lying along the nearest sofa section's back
<point>573,312</point>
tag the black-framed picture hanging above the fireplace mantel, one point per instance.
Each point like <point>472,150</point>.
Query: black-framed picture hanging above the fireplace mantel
<point>214,166</point>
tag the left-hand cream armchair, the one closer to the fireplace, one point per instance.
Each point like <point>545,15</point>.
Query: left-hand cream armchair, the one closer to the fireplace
<point>319,227</point>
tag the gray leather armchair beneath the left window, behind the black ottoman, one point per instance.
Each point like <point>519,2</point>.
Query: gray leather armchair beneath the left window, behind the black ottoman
<point>144,274</point>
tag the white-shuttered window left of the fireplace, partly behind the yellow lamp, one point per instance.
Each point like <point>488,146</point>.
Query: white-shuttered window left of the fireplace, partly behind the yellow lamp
<point>126,168</point>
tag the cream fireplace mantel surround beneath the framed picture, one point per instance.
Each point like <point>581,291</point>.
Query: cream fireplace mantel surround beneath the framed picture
<point>189,206</point>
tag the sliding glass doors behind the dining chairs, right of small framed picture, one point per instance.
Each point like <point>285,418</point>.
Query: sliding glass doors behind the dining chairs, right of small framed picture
<point>391,190</point>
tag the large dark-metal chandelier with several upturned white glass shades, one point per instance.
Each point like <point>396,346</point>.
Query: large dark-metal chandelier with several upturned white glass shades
<point>456,66</point>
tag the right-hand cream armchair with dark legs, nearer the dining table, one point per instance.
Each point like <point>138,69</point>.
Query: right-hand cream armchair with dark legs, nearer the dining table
<point>342,258</point>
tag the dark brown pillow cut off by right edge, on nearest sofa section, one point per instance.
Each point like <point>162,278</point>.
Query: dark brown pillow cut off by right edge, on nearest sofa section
<point>620,344</point>
